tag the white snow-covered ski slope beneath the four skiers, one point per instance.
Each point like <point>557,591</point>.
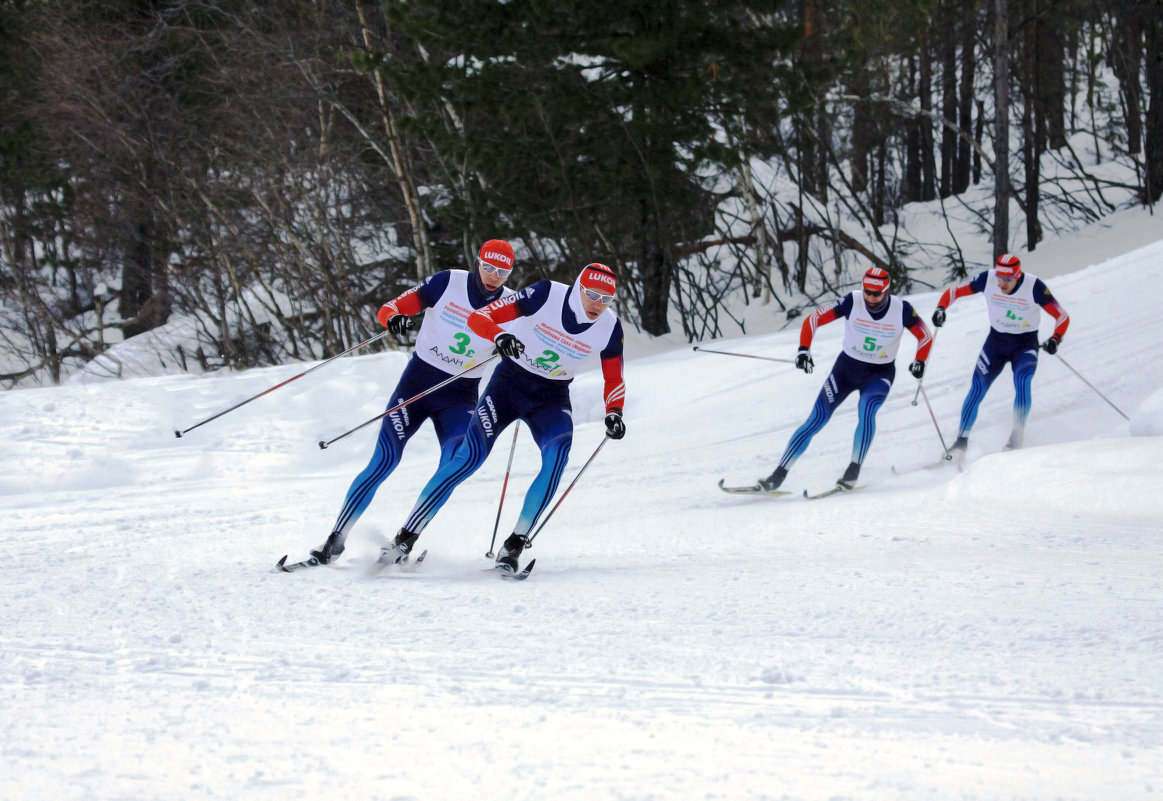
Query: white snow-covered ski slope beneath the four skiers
<point>988,634</point>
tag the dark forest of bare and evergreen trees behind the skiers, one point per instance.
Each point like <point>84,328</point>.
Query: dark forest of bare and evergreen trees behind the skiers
<point>268,174</point>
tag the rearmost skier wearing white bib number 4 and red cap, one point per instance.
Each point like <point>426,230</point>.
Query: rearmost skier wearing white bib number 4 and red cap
<point>1014,299</point>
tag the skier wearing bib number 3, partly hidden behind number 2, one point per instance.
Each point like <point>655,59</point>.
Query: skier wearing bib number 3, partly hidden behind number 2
<point>446,346</point>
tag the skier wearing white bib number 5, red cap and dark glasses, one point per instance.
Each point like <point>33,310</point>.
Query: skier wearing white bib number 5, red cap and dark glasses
<point>875,323</point>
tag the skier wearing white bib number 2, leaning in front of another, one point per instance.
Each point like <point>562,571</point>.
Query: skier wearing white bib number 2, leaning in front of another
<point>551,331</point>
